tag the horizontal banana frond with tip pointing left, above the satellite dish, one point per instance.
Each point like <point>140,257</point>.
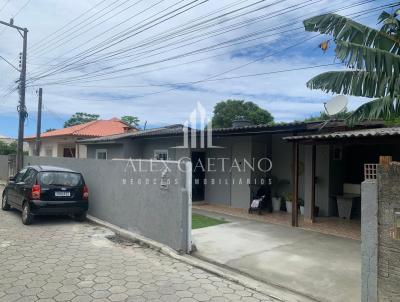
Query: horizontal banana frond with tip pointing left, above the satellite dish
<point>356,83</point>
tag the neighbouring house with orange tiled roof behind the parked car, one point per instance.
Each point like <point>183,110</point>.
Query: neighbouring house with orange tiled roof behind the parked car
<point>63,142</point>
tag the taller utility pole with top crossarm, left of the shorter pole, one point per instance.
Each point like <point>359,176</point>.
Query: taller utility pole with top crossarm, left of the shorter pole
<point>22,81</point>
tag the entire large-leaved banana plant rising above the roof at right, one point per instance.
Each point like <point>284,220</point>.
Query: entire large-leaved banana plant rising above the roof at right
<point>374,60</point>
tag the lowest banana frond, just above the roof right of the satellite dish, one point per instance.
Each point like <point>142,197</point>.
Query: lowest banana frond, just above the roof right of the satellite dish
<point>383,108</point>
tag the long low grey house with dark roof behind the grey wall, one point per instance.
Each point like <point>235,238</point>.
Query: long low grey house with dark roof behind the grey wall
<point>336,164</point>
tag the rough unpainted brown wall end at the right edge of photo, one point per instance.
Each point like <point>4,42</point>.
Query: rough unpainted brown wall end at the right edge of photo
<point>388,246</point>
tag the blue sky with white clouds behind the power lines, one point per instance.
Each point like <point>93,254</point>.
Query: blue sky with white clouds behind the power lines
<point>284,94</point>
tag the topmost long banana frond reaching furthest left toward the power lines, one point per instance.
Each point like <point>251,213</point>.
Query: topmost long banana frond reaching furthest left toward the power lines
<point>345,29</point>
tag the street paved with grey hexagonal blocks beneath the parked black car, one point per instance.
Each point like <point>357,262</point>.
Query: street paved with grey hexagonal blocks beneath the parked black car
<point>57,259</point>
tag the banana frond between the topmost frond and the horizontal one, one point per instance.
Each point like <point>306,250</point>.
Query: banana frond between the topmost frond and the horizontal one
<point>369,59</point>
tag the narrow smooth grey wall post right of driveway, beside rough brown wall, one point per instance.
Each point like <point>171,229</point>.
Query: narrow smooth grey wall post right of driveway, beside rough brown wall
<point>369,241</point>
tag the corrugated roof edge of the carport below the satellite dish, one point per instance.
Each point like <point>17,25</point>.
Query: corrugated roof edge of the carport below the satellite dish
<point>362,133</point>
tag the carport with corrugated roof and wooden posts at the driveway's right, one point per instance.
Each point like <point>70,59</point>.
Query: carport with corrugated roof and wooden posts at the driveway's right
<point>350,153</point>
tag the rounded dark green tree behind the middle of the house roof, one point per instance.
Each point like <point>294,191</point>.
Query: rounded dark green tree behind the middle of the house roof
<point>225,113</point>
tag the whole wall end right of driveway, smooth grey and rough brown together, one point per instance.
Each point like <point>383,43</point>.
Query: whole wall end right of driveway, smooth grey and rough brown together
<point>380,234</point>
